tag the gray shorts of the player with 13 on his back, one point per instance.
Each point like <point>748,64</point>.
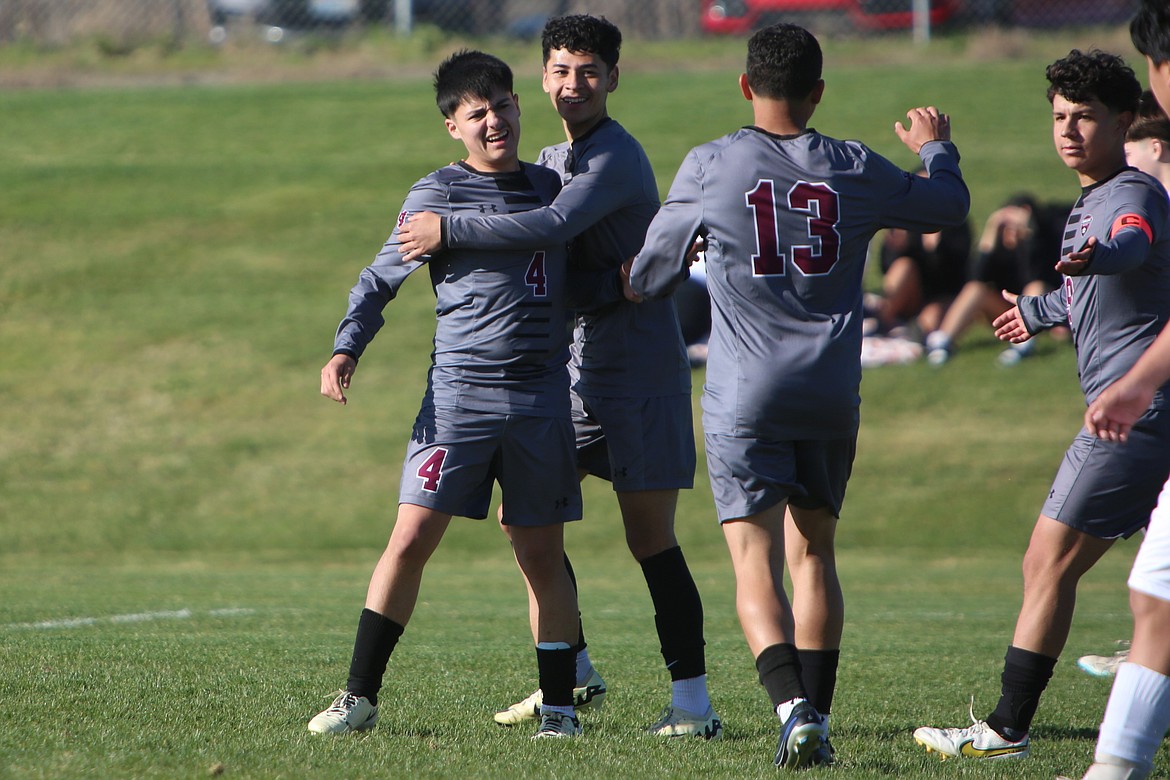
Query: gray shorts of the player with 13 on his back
<point>752,475</point>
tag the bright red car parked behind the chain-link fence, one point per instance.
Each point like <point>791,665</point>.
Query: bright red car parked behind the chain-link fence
<point>742,17</point>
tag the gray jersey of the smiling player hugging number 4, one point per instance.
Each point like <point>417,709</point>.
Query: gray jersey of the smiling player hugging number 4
<point>621,350</point>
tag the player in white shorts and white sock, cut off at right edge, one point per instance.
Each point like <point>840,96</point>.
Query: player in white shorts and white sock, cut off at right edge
<point>1138,716</point>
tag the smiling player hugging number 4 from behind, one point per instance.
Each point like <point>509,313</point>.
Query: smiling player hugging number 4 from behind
<point>631,377</point>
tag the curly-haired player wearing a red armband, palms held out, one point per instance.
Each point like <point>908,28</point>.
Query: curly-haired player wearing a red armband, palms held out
<point>1116,298</point>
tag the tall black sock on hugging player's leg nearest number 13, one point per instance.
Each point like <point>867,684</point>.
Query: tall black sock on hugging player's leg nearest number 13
<point>678,613</point>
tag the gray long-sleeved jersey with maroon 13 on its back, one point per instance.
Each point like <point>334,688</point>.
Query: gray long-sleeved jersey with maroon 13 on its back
<point>788,223</point>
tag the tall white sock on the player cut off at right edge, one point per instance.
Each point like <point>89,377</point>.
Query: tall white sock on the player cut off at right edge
<point>1137,717</point>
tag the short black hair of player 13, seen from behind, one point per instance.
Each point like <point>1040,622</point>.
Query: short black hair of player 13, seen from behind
<point>784,63</point>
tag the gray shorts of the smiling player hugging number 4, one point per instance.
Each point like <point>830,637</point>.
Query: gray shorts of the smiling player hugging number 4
<point>637,444</point>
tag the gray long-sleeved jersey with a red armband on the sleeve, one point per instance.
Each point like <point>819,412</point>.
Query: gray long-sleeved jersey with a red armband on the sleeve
<point>1119,306</point>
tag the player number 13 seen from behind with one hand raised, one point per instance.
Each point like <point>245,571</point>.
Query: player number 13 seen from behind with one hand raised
<point>788,216</point>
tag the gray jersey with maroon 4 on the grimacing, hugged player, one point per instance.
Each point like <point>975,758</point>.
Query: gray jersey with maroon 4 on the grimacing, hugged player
<point>500,336</point>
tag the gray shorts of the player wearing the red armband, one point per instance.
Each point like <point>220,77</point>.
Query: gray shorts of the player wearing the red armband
<point>1109,489</point>
